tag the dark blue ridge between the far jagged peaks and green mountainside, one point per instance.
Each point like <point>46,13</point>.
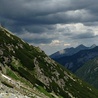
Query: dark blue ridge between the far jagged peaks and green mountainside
<point>74,62</point>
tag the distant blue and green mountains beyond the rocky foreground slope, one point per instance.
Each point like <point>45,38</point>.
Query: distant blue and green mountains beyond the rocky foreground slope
<point>83,63</point>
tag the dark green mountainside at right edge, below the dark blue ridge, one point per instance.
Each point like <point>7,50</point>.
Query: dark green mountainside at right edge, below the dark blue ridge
<point>89,72</point>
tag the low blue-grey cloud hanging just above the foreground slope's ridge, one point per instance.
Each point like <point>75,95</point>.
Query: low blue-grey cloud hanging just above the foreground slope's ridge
<point>36,38</point>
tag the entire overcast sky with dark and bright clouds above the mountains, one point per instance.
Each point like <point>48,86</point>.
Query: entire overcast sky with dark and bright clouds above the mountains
<point>52,24</point>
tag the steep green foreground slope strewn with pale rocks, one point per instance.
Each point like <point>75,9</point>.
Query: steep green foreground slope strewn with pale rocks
<point>28,70</point>
